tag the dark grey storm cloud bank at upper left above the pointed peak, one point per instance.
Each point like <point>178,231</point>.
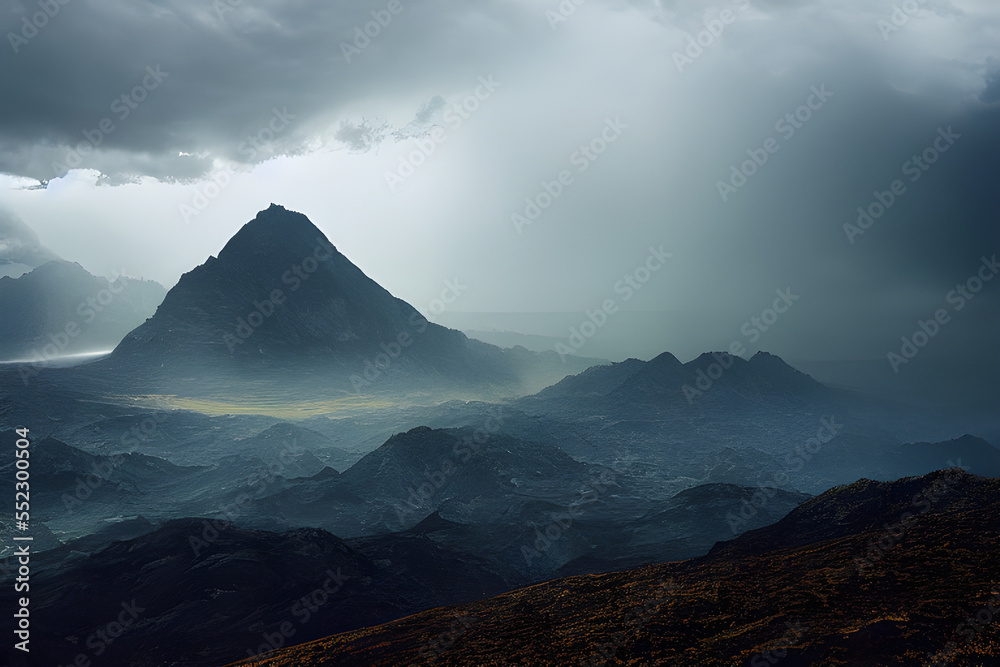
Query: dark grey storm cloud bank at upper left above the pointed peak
<point>221,70</point>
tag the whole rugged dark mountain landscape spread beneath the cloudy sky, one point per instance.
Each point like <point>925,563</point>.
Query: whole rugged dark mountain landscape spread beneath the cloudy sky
<point>283,452</point>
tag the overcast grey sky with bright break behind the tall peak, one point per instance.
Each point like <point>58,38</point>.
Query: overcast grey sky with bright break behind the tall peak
<point>540,155</point>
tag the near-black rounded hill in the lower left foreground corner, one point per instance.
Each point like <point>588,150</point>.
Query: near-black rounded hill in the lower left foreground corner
<point>191,594</point>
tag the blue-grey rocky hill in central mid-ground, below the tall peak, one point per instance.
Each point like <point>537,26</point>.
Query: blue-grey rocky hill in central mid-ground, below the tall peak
<point>481,476</point>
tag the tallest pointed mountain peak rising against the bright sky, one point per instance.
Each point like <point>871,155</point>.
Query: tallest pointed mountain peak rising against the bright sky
<point>280,301</point>
